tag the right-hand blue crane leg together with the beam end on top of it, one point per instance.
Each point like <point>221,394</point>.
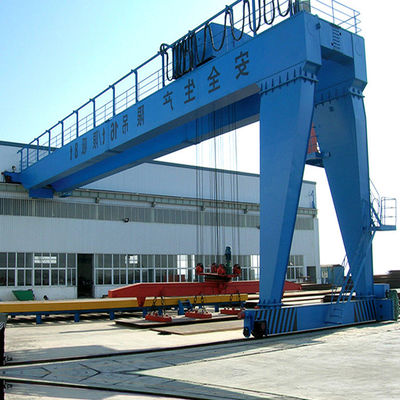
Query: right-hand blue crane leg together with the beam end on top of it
<point>340,125</point>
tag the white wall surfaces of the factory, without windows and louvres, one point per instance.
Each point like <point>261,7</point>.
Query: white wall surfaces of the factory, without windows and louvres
<point>23,234</point>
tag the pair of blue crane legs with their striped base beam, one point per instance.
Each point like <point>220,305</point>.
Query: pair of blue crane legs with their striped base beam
<point>286,114</point>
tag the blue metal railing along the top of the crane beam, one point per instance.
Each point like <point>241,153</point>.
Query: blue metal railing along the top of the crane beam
<point>245,16</point>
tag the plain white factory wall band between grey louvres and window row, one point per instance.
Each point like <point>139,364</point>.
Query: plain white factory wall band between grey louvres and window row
<point>59,235</point>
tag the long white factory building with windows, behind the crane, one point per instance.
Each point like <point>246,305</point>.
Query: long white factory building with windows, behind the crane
<point>151,223</point>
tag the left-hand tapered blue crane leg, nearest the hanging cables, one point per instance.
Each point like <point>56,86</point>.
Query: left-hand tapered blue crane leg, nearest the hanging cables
<point>285,123</point>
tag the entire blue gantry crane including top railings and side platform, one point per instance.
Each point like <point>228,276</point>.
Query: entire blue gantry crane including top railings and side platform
<point>279,63</point>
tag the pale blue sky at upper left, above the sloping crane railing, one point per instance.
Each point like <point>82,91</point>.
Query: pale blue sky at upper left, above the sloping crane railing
<point>56,54</point>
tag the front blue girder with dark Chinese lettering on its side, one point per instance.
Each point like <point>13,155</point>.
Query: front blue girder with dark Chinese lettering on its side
<point>218,83</point>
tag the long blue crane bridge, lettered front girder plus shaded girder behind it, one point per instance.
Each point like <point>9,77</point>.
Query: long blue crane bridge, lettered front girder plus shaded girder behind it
<point>192,108</point>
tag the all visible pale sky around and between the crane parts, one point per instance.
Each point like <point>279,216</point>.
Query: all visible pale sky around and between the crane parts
<point>56,54</point>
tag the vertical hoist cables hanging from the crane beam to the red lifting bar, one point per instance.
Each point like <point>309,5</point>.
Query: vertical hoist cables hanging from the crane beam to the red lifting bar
<point>218,225</point>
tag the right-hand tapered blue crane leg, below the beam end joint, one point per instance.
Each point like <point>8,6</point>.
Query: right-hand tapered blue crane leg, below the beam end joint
<point>342,135</point>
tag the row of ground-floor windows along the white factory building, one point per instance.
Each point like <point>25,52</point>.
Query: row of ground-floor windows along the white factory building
<point>59,269</point>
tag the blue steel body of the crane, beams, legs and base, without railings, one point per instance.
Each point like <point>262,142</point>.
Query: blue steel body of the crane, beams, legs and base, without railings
<point>300,71</point>
